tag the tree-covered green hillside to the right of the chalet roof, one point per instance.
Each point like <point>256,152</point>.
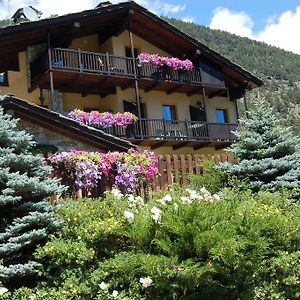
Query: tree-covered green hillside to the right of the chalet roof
<point>279,69</point>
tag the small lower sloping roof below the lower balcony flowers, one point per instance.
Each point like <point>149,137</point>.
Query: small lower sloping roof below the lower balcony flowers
<point>64,125</point>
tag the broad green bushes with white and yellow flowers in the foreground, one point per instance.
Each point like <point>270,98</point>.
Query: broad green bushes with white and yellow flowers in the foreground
<point>182,246</point>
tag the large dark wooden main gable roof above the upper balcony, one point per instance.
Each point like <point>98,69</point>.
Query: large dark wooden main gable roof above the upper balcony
<point>112,18</point>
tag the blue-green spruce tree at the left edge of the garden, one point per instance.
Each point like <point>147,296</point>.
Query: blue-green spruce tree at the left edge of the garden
<point>26,217</point>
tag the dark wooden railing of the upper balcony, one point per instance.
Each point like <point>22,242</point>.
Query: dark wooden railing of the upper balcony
<point>106,64</point>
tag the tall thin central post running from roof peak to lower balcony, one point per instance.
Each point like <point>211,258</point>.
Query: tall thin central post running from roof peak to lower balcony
<point>136,85</point>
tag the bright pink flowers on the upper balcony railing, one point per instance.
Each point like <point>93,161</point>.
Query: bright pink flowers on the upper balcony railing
<point>160,61</point>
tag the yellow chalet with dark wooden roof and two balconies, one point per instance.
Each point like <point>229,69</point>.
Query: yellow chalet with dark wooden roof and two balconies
<point>90,61</point>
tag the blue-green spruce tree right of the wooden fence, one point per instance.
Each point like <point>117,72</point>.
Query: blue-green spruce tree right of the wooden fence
<point>268,153</point>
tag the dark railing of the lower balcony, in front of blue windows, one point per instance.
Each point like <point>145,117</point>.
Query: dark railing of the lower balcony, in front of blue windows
<point>176,130</point>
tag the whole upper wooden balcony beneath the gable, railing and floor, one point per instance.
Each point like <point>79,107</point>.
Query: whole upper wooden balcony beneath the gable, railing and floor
<point>98,73</point>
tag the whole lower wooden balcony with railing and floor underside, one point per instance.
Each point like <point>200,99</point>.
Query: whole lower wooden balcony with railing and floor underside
<point>156,133</point>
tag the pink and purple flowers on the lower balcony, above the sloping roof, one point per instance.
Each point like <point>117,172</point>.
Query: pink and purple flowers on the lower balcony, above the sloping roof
<point>104,120</point>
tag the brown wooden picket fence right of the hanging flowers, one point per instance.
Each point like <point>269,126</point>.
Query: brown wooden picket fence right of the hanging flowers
<point>176,169</point>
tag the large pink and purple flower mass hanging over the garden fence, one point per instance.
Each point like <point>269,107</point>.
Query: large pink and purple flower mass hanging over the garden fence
<point>86,169</point>
